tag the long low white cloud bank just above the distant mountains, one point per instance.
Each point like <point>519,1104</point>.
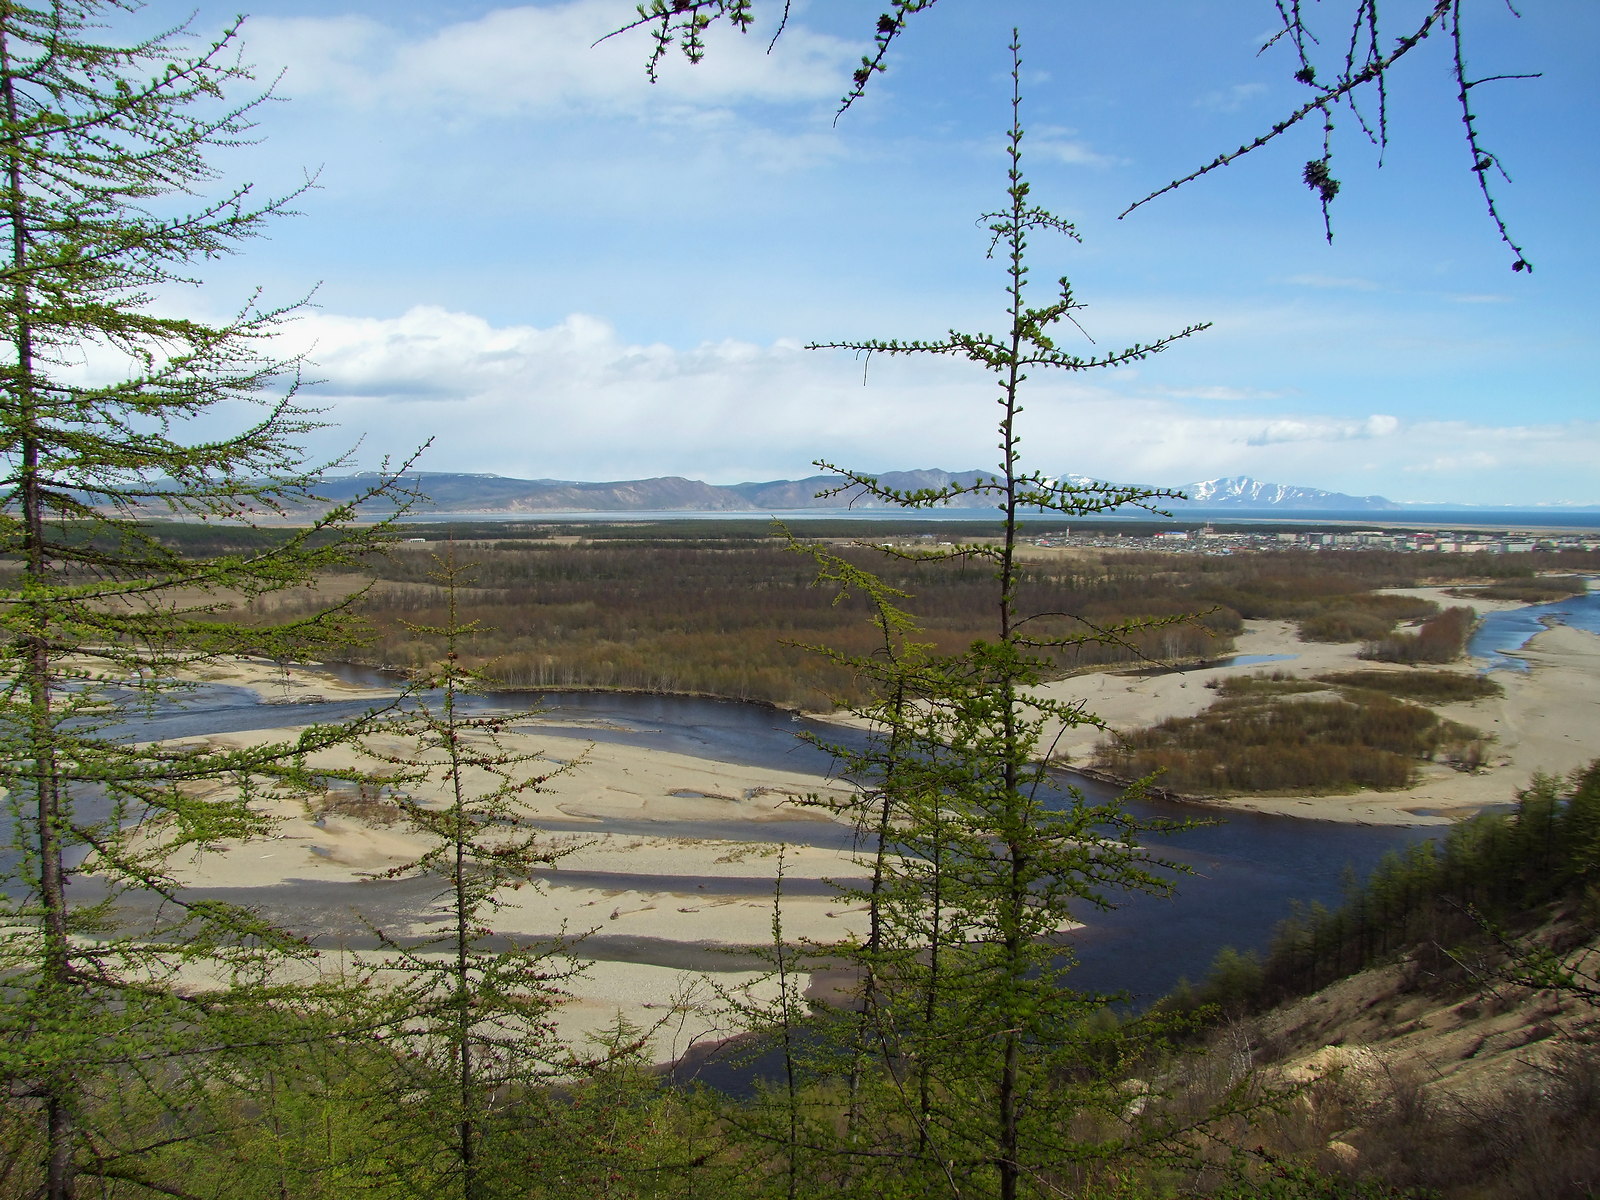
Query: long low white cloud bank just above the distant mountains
<point>580,401</point>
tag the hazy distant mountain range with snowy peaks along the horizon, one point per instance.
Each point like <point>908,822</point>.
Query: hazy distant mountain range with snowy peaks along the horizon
<point>503,495</point>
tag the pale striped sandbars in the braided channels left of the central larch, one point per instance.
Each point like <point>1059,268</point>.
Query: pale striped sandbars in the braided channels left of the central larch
<point>668,906</point>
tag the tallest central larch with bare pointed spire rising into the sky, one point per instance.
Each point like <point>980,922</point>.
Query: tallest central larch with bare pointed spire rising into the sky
<point>1017,862</point>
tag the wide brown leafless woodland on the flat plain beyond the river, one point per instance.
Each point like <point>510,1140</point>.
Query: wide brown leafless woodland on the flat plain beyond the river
<point>734,618</point>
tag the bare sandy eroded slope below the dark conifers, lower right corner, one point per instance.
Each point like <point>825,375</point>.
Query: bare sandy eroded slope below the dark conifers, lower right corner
<point>1439,1071</point>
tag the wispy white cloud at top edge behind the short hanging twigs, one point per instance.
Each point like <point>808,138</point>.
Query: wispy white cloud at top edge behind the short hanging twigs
<point>538,58</point>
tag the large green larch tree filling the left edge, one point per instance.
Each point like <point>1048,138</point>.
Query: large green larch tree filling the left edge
<point>103,222</point>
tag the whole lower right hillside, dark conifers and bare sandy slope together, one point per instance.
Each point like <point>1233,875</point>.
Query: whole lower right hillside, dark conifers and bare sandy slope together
<point>1441,1025</point>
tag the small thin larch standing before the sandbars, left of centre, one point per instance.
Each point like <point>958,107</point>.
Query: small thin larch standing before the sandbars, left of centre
<point>474,1006</point>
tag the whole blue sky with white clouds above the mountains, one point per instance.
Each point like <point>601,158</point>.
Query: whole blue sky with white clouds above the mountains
<point>554,270</point>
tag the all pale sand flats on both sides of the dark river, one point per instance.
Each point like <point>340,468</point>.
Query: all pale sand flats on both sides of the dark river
<point>662,903</point>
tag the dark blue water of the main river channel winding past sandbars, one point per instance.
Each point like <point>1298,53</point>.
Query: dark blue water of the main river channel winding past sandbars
<point>1244,871</point>
